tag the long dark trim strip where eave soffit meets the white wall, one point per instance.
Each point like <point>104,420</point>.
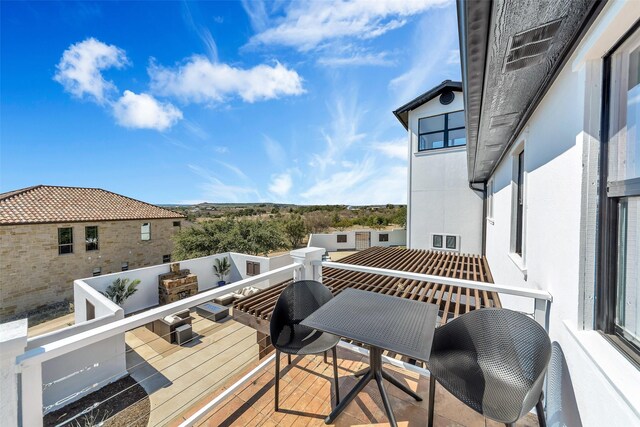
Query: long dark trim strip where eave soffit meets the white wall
<point>596,8</point>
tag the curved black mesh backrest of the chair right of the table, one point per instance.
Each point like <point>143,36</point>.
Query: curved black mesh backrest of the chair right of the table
<point>506,344</point>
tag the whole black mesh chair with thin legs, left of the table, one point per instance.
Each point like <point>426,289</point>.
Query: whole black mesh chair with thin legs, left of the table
<point>296,302</point>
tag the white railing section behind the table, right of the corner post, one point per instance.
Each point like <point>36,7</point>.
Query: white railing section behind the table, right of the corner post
<point>542,299</point>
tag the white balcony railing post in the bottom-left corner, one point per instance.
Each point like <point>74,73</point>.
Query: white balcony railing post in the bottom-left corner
<point>13,341</point>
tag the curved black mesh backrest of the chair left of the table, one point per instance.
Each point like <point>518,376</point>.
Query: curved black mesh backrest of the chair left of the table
<point>296,302</point>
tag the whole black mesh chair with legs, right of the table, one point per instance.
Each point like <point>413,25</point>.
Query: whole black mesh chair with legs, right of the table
<point>494,361</point>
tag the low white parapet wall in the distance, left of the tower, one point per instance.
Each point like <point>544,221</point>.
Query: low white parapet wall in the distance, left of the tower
<point>329,241</point>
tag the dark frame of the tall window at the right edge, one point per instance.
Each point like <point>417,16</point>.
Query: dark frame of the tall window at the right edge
<point>610,195</point>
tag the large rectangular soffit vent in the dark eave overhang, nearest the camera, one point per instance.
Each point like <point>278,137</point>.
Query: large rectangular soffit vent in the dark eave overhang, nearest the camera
<point>529,47</point>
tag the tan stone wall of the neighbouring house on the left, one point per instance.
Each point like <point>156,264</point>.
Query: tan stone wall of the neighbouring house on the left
<point>33,274</point>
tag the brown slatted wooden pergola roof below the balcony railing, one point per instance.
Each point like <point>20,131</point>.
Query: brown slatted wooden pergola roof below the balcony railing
<point>255,311</point>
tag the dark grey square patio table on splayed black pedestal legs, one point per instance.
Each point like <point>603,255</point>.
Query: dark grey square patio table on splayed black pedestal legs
<point>382,322</point>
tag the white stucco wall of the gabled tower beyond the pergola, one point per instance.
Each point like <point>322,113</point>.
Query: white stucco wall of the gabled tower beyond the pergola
<point>439,198</point>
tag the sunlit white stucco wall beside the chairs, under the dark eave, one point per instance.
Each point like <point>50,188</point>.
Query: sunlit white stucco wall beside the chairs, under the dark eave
<point>605,383</point>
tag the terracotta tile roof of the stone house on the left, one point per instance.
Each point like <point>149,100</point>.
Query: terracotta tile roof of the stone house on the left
<point>44,203</point>
